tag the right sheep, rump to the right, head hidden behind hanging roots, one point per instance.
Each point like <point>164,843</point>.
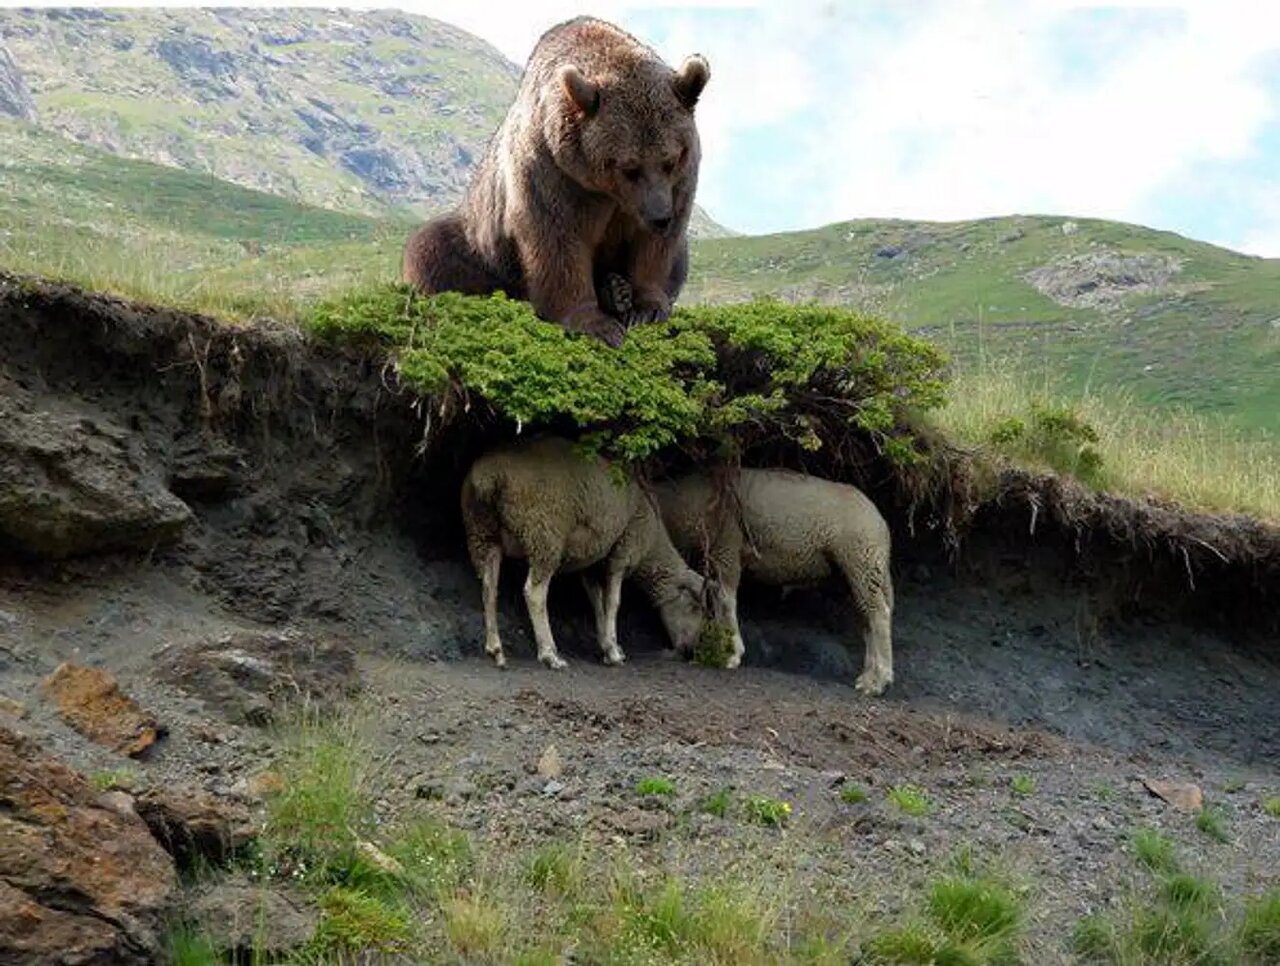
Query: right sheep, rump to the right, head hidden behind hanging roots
<point>789,529</point>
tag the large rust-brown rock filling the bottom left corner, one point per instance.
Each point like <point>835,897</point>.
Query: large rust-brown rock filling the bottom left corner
<point>81,882</point>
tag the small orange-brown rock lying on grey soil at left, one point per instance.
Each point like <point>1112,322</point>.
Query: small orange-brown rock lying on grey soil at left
<point>90,701</point>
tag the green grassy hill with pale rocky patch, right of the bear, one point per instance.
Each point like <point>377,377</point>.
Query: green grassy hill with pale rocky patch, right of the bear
<point>1099,304</point>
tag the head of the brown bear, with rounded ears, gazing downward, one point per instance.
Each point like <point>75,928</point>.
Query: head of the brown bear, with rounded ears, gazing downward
<point>636,138</point>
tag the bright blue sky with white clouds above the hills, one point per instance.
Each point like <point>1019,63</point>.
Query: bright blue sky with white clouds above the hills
<point>1167,115</point>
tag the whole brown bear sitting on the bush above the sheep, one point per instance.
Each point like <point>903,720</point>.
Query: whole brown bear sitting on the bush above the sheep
<point>584,195</point>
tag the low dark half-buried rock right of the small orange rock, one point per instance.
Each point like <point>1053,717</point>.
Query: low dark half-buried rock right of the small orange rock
<point>250,677</point>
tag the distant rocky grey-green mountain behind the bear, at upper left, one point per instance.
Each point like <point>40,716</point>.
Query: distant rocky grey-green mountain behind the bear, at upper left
<point>368,112</point>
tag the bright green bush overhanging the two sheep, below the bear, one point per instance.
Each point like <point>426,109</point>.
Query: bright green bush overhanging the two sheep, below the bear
<point>720,376</point>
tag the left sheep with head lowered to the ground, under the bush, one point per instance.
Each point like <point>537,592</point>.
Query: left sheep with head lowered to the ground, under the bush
<point>563,514</point>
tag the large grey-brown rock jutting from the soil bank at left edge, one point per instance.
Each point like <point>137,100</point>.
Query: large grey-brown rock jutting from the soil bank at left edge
<point>76,484</point>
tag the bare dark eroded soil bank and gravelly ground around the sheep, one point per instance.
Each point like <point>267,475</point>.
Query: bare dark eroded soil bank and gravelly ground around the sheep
<point>1082,640</point>
